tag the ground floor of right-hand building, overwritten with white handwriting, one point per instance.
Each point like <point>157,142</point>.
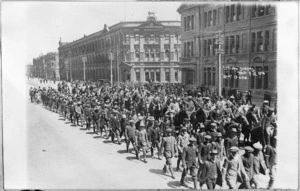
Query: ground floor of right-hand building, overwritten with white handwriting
<point>256,73</point>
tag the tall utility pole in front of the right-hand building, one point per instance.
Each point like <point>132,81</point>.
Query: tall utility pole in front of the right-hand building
<point>220,51</point>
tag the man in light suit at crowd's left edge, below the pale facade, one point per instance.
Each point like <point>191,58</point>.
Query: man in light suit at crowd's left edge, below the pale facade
<point>142,140</point>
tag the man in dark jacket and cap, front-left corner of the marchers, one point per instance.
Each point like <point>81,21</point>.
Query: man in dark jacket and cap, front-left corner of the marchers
<point>189,161</point>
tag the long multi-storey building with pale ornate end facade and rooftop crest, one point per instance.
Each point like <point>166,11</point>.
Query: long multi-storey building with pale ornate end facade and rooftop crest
<point>141,51</point>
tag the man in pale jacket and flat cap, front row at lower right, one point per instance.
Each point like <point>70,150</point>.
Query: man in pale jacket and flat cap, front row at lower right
<point>233,169</point>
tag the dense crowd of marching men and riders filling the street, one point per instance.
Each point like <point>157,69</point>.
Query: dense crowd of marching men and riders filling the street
<point>218,139</point>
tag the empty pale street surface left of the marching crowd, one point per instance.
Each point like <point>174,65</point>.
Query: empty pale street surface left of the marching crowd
<point>60,155</point>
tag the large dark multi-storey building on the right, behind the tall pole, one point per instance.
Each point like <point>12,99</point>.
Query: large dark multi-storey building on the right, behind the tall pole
<point>249,46</point>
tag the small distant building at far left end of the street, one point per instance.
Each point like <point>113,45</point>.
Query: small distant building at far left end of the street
<point>46,66</point>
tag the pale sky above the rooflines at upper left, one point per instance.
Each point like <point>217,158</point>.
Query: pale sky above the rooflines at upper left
<point>33,28</point>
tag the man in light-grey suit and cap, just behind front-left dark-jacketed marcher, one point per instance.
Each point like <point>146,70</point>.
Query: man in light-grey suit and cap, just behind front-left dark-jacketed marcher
<point>169,149</point>
